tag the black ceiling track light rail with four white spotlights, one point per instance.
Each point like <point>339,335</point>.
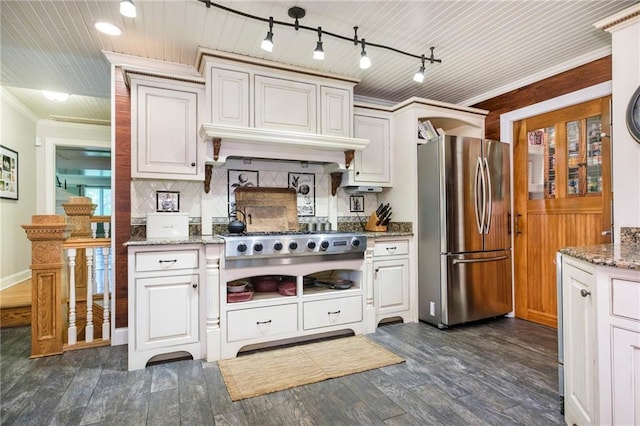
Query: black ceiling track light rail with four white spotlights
<point>297,13</point>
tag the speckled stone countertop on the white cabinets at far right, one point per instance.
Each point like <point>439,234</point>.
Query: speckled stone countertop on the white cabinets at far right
<point>625,255</point>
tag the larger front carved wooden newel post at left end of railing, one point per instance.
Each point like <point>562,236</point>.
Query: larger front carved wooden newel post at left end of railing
<point>46,233</point>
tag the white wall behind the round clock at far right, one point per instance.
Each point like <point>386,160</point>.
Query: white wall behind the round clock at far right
<point>626,152</point>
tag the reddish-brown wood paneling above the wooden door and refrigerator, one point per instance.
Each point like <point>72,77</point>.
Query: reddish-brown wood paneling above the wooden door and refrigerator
<point>598,71</point>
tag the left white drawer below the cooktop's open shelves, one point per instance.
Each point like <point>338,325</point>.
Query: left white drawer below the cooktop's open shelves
<point>261,322</point>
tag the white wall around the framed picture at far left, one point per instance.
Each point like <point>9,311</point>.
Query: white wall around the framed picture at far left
<point>18,133</point>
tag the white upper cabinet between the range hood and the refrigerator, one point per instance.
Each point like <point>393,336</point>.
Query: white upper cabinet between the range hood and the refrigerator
<point>371,166</point>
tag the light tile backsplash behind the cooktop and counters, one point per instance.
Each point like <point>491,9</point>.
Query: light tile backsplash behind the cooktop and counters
<point>270,174</point>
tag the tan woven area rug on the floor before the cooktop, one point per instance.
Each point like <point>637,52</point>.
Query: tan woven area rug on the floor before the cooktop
<point>270,371</point>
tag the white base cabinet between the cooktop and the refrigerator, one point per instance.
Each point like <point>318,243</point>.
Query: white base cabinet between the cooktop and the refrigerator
<point>391,279</point>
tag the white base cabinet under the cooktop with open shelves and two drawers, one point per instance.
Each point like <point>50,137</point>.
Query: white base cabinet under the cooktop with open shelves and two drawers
<point>269,317</point>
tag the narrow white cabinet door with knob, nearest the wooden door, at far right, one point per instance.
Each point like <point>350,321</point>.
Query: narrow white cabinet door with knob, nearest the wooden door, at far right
<point>578,296</point>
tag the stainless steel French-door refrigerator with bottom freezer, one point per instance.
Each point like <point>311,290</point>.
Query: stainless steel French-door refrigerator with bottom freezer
<point>464,241</point>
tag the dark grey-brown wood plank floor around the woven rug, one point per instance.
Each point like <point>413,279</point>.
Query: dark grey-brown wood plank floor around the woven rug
<point>501,372</point>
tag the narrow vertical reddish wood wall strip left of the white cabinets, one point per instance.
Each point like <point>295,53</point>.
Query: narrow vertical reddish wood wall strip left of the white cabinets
<point>122,209</point>
